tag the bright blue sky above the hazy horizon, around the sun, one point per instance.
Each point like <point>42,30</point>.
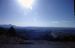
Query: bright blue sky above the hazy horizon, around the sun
<point>43,13</point>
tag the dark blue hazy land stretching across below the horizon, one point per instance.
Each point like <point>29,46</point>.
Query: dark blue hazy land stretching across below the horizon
<point>48,33</point>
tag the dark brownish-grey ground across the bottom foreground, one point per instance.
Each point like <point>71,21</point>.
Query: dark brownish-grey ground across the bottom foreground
<point>17,42</point>
